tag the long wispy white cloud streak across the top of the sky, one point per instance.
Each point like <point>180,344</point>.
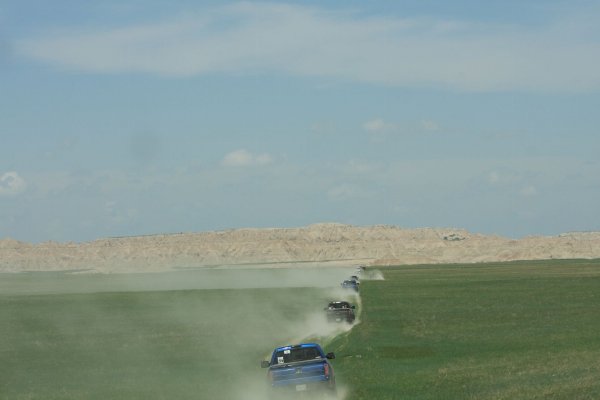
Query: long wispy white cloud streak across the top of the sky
<point>308,41</point>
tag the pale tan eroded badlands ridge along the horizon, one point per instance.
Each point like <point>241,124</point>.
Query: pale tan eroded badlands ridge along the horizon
<point>319,244</point>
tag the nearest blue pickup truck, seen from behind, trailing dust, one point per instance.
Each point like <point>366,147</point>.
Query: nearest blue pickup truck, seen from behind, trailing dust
<point>299,368</point>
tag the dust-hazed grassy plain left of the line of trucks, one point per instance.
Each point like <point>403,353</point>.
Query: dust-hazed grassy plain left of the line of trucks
<point>66,336</point>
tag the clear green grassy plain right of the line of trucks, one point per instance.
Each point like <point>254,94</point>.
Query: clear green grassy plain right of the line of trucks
<point>522,330</point>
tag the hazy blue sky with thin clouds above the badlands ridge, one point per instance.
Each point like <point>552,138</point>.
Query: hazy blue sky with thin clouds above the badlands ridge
<point>140,117</point>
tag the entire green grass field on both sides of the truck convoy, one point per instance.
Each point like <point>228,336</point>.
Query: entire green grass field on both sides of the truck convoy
<point>526,330</point>
